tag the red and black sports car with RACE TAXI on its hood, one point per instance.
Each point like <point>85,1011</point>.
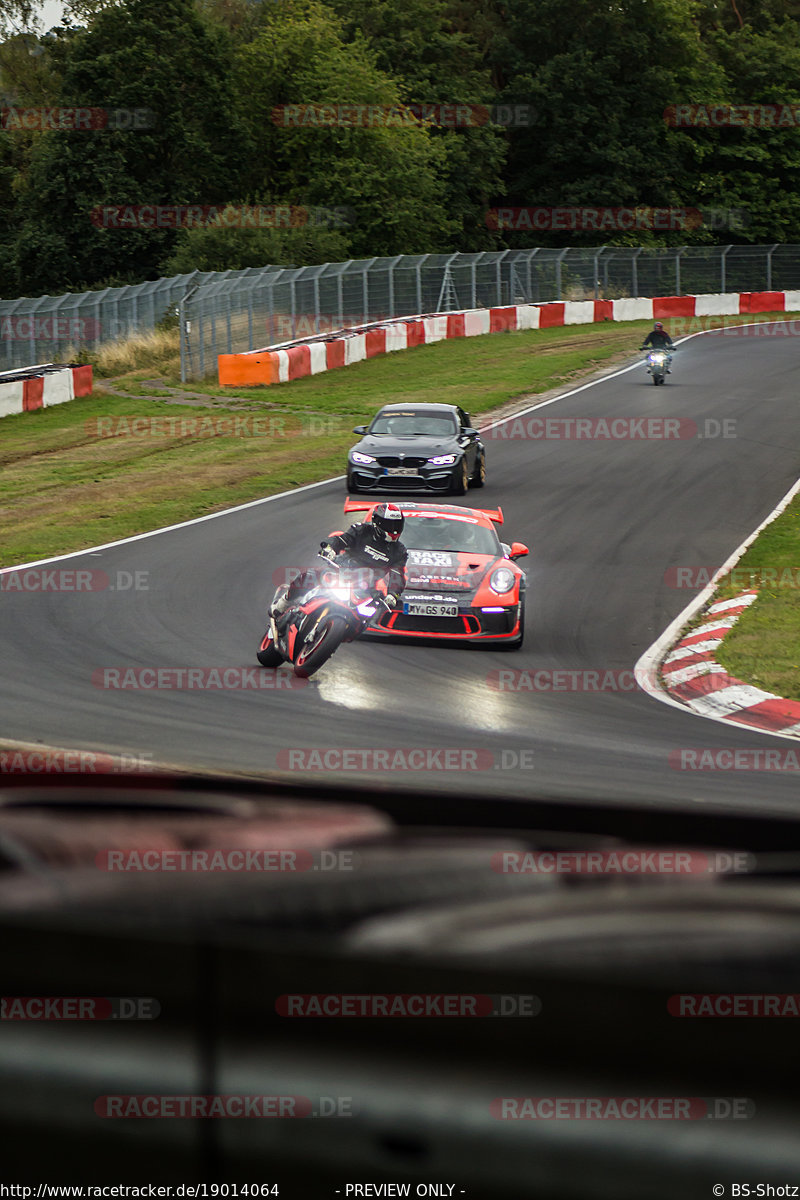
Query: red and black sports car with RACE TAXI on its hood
<point>462,581</point>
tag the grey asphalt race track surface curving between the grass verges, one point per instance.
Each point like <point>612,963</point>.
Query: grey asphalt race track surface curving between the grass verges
<point>606,521</point>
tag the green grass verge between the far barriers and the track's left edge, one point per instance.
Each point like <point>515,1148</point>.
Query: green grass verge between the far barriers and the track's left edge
<point>67,485</point>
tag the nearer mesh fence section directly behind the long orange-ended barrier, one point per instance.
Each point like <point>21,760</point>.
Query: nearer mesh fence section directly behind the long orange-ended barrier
<point>230,316</point>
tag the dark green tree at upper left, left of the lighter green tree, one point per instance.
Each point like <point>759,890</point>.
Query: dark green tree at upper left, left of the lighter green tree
<point>141,56</point>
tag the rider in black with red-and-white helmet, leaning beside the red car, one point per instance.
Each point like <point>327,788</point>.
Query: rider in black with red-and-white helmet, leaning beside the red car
<point>374,544</point>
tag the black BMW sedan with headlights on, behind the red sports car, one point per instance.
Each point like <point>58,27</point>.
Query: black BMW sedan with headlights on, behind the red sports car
<point>418,448</point>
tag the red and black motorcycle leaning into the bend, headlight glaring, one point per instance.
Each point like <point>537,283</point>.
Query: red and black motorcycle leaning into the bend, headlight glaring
<point>322,619</point>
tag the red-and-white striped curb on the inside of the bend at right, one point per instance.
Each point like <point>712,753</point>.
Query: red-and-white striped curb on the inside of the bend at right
<point>691,676</point>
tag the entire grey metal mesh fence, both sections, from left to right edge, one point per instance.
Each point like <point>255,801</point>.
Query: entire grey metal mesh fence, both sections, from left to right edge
<point>225,313</point>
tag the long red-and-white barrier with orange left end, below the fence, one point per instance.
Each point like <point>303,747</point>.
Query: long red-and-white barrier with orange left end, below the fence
<point>356,345</point>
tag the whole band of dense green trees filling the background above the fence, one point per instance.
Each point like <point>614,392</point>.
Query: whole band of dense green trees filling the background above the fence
<point>585,98</point>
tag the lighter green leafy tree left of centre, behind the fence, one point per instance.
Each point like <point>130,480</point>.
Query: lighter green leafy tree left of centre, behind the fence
<point>392,177</point>
